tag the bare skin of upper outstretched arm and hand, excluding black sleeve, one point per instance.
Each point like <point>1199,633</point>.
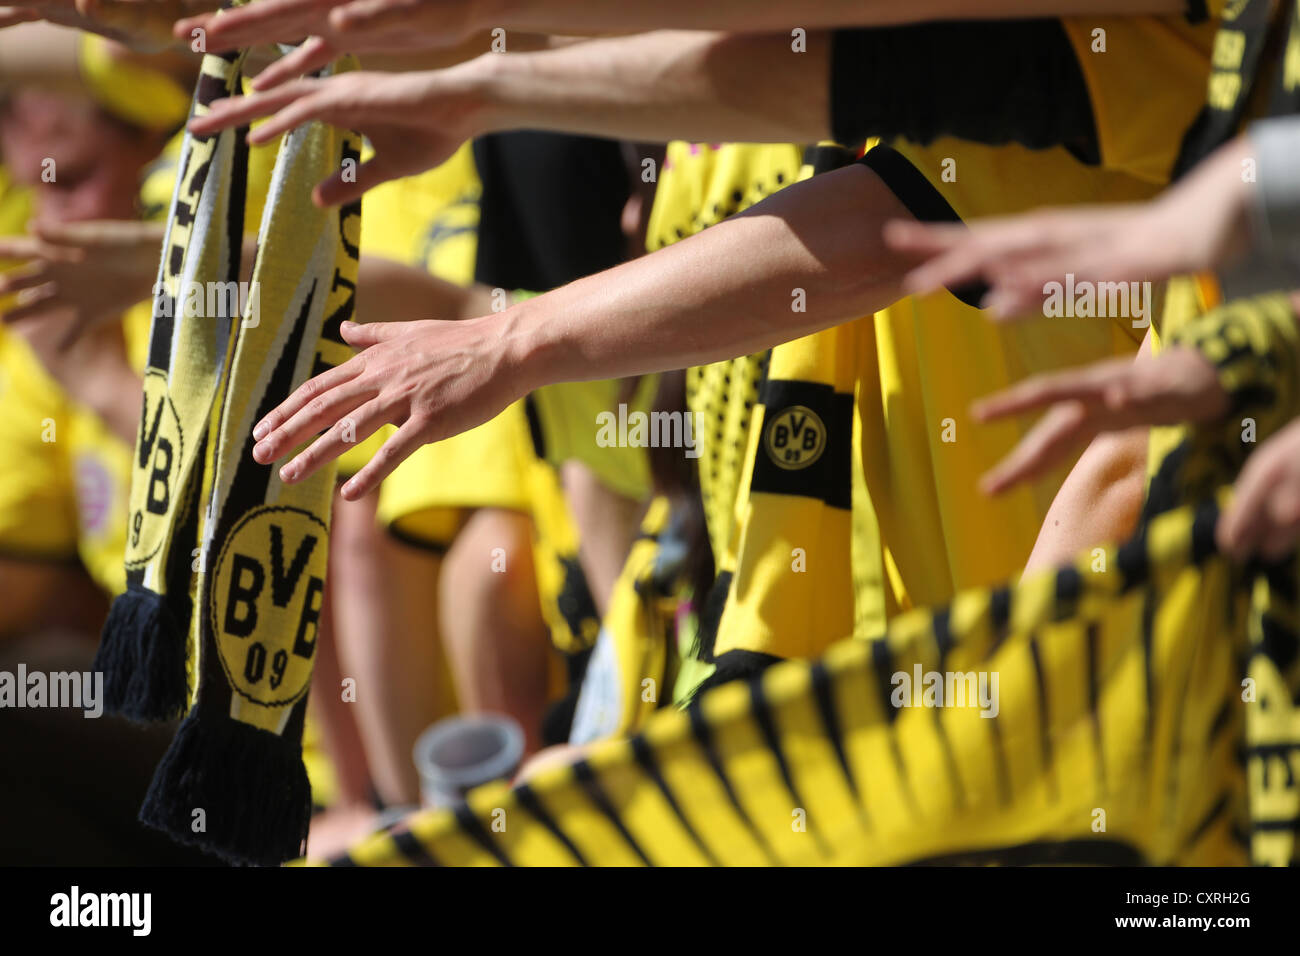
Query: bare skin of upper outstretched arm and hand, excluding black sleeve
<point>651,88</point>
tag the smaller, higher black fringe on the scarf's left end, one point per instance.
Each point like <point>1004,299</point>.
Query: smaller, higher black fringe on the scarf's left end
<point>142,652</point>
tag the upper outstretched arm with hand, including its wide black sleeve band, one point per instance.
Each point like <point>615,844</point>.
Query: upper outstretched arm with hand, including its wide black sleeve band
<point>697,86</point>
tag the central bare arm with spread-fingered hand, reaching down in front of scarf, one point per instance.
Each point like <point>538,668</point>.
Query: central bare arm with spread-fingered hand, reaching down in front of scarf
<point>726,292</point>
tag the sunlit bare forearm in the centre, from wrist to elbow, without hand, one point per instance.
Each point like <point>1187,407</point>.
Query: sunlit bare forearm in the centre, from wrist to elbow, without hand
<point>803,261</point>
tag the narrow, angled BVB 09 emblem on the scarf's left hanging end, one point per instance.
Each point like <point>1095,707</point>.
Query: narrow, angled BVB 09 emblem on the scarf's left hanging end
<point>157,470</point>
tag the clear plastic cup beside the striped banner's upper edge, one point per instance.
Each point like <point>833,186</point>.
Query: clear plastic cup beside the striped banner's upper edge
<point>463,752</point>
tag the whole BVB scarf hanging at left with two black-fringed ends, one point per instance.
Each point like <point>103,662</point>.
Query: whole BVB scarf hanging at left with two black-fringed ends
<point>226,563</point>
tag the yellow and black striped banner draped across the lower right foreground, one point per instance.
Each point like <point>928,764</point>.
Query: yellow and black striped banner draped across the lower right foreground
<point>1100,721</point>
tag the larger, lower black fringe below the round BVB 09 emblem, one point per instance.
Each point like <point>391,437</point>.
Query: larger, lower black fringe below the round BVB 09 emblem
<point>220,765</point>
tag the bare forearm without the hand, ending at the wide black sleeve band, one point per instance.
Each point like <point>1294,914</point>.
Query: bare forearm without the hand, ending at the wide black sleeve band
<point>665,85</point>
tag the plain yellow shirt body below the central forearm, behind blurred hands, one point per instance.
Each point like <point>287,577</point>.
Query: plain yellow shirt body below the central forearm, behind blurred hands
<point>922,452</point>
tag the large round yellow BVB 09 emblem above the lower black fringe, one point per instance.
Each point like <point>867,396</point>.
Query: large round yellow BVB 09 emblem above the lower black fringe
<point>267,603</point>
